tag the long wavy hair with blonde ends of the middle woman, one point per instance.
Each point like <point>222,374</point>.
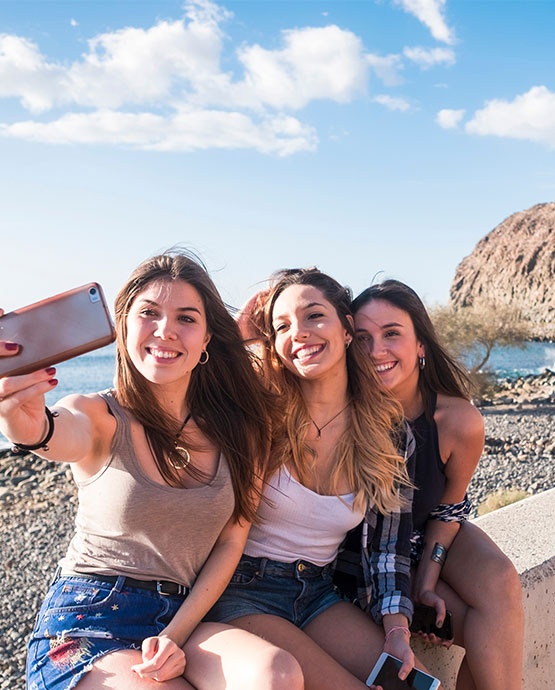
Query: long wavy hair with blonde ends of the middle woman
<point>366,452</point>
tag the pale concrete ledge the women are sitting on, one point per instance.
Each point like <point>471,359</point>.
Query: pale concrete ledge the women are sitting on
<point>525,531</point>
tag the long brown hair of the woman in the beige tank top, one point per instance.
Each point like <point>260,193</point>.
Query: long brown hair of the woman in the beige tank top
<point>227,399</point>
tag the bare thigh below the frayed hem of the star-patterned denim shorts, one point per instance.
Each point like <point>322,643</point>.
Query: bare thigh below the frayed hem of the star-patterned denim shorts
<point>113,672</point>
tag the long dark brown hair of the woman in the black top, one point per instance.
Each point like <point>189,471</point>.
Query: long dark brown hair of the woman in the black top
<point>442,373</point>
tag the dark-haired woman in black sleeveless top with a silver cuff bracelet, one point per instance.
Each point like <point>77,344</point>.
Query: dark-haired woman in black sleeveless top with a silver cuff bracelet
<point>458,567</point>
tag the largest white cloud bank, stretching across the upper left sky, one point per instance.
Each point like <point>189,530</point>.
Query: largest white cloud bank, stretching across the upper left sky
<point>164,87</point>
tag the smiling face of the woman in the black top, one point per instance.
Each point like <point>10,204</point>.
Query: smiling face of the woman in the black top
<point>387,333</point>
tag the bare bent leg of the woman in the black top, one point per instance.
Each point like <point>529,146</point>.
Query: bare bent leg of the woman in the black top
<point>486,580</point>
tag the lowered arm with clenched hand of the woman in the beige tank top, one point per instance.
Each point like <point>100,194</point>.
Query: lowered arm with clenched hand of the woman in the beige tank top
<point>160,653</point>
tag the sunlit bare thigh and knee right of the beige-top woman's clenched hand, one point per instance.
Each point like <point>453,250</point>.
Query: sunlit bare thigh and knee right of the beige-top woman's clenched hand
<point>222,657</point>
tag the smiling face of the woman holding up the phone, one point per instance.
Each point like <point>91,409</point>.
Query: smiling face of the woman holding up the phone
<point>166,332</point>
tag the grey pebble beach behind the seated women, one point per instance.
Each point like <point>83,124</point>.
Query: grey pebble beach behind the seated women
<point>38,502</point>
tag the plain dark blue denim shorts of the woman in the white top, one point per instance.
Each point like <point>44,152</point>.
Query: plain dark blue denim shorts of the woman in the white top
<point>297,591</point>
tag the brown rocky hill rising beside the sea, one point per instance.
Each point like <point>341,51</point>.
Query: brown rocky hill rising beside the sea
<point>514,264</point>
